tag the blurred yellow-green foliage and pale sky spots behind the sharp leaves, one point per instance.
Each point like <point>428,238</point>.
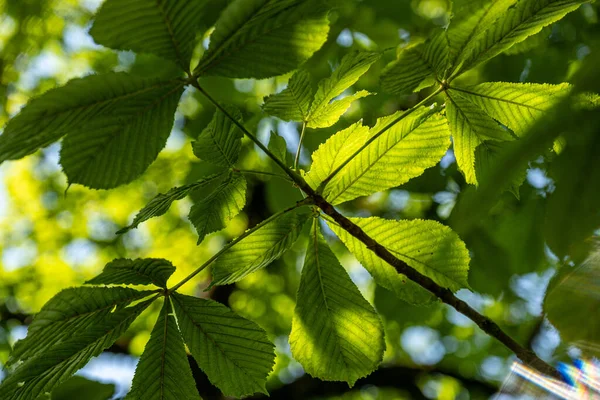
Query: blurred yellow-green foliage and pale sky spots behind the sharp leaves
<point>52,236</point>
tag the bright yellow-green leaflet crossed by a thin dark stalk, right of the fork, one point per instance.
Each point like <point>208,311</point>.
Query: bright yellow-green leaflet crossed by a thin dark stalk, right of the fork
<point>402,152</point>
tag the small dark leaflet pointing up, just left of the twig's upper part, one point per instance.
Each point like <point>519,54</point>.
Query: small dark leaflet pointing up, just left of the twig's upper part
<point>220,142</point>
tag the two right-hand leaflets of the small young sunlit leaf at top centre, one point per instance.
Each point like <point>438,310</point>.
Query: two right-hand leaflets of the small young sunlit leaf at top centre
<point>324,112</point>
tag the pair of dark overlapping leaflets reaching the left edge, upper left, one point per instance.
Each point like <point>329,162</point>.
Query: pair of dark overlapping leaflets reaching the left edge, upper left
<point>99,113</point>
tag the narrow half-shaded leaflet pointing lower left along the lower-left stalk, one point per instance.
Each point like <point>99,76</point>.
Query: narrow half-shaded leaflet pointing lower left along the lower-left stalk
<point>259,249</point>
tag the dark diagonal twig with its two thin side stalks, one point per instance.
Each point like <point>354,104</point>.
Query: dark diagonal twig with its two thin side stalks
<point>444,294</point>
